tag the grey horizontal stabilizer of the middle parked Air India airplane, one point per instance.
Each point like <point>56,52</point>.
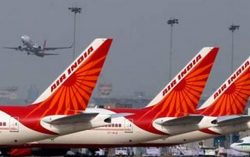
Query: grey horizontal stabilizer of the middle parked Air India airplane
<point>190,119</point>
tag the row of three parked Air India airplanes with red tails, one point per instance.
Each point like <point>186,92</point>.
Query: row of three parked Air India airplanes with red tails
<point>60,117</point>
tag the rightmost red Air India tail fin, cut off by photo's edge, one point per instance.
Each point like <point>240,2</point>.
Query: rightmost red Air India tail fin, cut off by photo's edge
<point>232,96</point>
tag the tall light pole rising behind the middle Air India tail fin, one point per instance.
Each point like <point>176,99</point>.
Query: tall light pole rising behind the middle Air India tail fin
<point>171,22</point>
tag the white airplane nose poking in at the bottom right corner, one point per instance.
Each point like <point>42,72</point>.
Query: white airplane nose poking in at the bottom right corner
<point>243,145</point>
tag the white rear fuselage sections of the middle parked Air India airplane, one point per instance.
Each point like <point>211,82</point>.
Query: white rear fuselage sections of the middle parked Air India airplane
<point>120,132</point>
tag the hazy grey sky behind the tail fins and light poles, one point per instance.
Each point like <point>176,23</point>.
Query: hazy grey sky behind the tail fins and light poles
<point>138,59</point>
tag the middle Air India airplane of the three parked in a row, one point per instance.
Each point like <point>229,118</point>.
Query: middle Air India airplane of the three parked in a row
<point>166,115</point>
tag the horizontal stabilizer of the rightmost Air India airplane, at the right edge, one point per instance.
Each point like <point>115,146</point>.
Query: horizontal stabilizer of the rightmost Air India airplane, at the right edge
<point>232,120</point>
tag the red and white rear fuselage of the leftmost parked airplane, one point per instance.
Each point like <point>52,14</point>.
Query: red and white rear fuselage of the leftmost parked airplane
<point>18,128</point>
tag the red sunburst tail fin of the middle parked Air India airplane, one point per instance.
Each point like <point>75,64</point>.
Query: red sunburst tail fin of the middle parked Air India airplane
<point>181,96</point>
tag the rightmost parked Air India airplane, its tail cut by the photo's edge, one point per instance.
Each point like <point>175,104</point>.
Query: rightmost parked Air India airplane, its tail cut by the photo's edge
<point>224,108</point>
